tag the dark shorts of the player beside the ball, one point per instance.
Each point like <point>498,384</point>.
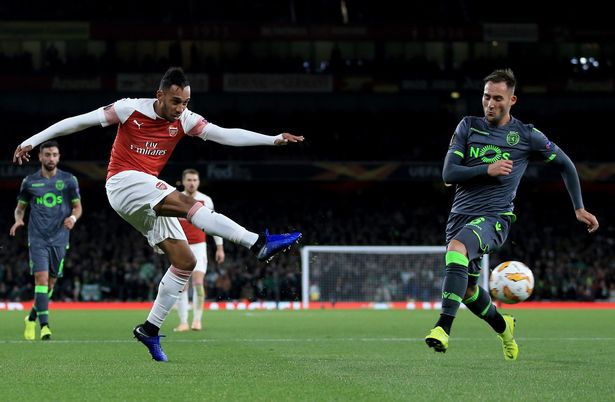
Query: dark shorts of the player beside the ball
<point>479,234</point>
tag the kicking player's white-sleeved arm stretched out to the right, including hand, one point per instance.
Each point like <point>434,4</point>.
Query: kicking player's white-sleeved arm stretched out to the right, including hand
<point>239,137</point>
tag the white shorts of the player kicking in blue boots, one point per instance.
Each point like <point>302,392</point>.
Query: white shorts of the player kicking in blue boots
<point>133,195</point>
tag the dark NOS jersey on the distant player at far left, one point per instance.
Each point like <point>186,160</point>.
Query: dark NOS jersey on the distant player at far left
<point>51,201</point>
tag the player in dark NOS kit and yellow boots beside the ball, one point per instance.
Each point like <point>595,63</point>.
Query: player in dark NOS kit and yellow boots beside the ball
<point>486,159</point>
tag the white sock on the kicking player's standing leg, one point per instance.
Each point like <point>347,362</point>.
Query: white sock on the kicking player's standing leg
<point>171,286</point>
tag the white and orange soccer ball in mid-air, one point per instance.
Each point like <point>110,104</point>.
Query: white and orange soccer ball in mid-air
<point>511,282</point>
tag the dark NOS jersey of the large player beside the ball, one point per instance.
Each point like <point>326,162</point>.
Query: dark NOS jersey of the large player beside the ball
<point>475,144</point>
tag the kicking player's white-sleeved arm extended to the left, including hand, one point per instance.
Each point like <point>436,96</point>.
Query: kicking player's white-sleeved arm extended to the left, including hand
<point>64,127</point>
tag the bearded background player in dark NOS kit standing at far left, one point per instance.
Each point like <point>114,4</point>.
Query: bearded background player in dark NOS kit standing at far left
<point>55,206</point>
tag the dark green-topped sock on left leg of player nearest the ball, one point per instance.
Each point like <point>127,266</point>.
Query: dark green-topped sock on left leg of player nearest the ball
<point>453,288</point>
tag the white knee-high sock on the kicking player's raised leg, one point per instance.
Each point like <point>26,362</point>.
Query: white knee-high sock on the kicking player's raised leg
<point>219,225</point>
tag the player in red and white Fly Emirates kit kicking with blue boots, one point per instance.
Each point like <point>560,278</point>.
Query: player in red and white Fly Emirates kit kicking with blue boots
<point>148,131</point>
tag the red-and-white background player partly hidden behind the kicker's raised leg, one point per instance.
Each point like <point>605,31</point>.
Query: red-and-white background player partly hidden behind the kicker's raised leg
<point>197,239</point>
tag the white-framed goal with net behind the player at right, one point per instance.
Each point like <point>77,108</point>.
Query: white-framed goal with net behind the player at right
<point>378,274</point>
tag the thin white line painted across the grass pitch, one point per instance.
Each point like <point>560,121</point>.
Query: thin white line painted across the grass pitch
<point>271,340</point>
